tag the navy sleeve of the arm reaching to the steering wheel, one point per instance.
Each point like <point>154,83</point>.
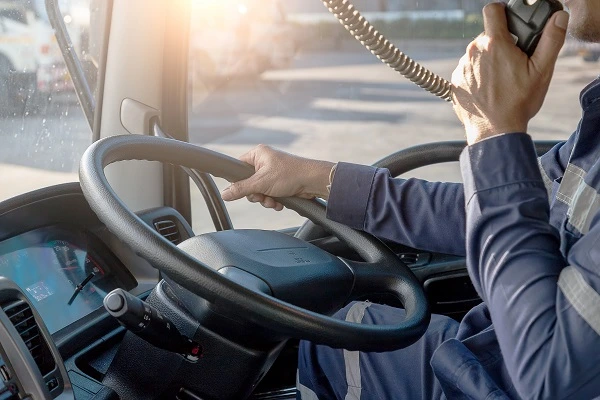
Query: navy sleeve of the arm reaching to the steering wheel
<point>420,214</point>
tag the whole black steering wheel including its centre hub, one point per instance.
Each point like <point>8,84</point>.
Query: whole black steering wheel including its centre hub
<point>263,277</point>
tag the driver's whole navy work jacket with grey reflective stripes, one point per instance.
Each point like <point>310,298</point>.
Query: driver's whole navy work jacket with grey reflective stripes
<point>530,230</point>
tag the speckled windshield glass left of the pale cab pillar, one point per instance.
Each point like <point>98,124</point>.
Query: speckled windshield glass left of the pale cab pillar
<point>43,130</point>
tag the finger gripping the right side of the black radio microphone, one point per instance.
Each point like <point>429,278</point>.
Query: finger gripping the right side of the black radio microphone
<point>551,42</point>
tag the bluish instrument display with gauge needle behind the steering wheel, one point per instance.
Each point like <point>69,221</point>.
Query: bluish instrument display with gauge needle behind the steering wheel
<point>61,273</point>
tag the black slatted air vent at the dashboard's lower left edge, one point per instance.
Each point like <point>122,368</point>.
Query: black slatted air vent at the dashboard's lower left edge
<point>22,318</point>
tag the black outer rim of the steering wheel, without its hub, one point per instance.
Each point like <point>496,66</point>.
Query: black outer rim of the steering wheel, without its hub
<point>284,318</point>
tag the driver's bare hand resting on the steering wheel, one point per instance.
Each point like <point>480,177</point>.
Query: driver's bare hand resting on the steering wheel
<point>280,174</point>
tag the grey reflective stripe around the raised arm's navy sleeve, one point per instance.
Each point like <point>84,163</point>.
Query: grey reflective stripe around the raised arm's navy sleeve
<point>584,299</point>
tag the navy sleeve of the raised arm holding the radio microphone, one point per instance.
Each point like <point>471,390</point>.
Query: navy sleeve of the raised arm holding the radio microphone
<point>545,309</point>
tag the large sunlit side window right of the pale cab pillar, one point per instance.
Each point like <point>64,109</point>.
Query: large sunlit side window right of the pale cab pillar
<point>287,74</point>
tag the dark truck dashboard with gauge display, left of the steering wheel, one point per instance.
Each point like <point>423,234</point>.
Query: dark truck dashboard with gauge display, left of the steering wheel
<point>57,263</point>
